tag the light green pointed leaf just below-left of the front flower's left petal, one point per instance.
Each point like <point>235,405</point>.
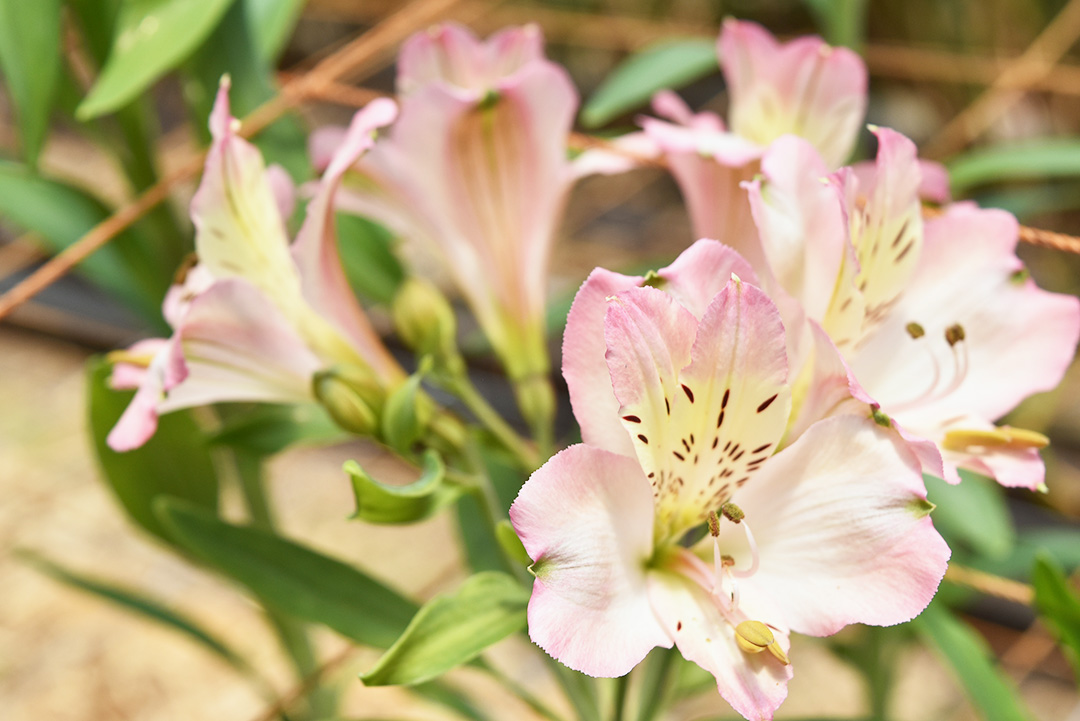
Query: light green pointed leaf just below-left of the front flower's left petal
<point>453,630</point>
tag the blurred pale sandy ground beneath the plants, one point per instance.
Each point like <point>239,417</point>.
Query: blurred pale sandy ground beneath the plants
<point>67,657</point>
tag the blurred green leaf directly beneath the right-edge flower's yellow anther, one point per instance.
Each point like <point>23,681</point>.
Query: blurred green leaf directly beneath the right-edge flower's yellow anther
<point>974,514</point>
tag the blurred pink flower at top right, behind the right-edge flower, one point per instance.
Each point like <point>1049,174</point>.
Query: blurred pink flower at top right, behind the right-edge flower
<point>804,88</point>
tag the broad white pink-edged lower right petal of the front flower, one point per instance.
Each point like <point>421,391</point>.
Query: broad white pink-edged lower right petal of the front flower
<point>843,530</point>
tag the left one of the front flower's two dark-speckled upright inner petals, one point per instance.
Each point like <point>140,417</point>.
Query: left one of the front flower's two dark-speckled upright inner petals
<point>650,337</point>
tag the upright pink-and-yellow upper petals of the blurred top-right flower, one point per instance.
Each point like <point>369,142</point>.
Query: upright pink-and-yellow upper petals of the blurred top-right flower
<point>805,88</point>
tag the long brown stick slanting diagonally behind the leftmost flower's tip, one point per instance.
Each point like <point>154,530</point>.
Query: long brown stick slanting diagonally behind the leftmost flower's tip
<point>356,57</point>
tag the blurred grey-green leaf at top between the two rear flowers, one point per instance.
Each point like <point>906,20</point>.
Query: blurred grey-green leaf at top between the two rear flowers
<point>669,65</point>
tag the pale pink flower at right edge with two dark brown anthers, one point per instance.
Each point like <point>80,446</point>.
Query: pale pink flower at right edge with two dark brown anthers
<point>936,318</point>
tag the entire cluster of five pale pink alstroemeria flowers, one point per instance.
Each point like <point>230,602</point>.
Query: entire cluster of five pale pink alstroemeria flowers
<point>757,417</point>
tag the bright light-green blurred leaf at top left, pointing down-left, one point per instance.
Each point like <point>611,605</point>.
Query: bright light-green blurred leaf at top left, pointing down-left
<point>152,38</point>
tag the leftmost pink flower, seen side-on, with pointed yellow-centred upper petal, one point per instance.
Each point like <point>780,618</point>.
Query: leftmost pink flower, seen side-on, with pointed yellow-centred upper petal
<point>256,319</point>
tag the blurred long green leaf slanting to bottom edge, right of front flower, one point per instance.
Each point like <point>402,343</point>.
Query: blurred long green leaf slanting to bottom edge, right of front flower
<point>968,656</point>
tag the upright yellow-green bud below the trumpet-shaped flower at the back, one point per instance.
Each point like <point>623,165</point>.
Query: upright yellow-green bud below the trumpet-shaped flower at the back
<point>425,320</point>
